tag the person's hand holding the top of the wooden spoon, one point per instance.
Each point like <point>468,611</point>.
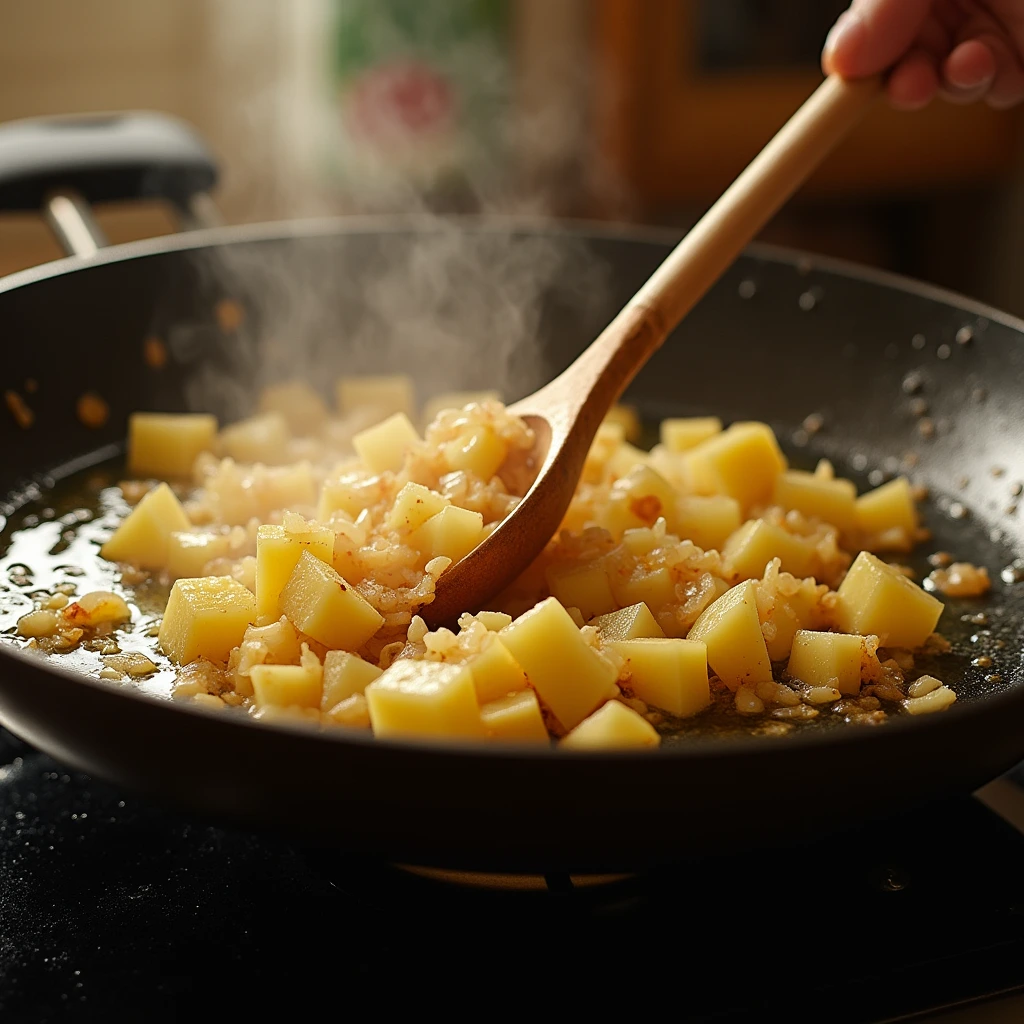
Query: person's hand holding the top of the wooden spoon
<point>963,50</point>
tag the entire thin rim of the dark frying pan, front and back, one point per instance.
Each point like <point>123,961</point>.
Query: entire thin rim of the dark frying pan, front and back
<point>698,748</point>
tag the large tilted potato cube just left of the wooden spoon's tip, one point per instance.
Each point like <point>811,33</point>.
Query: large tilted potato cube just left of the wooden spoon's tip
<point>324,607</point>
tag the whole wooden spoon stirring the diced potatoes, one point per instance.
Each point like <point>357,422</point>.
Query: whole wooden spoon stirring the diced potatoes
<point>566,414</point>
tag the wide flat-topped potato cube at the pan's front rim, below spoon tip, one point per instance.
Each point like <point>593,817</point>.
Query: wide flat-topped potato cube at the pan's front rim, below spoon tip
<point>424,699</point>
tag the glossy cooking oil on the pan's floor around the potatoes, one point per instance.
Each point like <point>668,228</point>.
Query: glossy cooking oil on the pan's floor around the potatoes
<point>52,546</point>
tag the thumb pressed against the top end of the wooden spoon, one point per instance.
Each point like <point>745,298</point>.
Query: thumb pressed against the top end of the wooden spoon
<point>873,35</point>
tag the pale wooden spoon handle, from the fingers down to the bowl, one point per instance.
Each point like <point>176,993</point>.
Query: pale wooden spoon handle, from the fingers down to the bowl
<point>589,388</point>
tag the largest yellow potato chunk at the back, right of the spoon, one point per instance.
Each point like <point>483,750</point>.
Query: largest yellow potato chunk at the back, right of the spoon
<point>743,462</point>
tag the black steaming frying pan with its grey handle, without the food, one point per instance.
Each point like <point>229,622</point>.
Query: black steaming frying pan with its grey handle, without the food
<point>782,336</point>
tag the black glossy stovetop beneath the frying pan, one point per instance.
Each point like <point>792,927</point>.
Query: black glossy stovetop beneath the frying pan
<point>112,909</point>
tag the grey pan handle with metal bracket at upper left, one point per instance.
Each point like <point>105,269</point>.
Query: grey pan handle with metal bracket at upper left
<point>61,165</point>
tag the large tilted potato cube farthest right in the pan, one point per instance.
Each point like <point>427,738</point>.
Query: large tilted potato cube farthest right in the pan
<point>877,599</point>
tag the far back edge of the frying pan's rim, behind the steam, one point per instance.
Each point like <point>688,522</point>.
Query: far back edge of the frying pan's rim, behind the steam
<point>306,228</point>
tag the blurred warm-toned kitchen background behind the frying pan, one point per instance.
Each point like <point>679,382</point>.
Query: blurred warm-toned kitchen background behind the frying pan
<point>625,110</point>
